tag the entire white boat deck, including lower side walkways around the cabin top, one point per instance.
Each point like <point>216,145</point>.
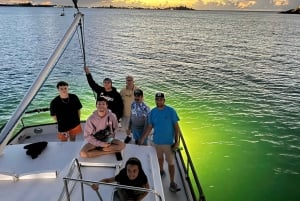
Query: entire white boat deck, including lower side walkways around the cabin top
<point>59,156</point>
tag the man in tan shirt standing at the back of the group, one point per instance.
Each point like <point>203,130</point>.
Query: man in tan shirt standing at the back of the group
<point>127,94</point>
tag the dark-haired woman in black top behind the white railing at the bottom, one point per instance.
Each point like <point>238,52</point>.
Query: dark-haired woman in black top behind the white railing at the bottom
<point>132,175</point>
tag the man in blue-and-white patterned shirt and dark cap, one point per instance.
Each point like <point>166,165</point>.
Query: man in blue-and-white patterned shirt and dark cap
<point>138,117</point>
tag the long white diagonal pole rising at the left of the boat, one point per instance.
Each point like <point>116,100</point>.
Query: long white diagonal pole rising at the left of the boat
<point>8,131</point>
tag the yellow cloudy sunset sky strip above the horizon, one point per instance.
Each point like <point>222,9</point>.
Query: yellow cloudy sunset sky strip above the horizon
<point>196,4</point>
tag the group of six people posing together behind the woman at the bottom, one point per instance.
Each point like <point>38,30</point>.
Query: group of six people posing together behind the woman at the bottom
<point>112,108</point>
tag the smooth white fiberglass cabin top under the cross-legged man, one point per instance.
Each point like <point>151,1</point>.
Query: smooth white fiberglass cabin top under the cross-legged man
<point>58,157</point>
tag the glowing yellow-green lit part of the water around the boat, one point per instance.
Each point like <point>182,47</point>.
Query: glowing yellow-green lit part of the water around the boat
<point>228,152</point>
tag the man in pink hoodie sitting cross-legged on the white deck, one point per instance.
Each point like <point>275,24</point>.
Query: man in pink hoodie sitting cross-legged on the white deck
<point>104,121</point>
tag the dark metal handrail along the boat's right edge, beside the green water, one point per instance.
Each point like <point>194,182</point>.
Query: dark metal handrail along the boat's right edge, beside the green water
<point>189,168</point>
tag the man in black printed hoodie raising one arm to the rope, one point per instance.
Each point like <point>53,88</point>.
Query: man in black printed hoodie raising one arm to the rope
<point>110,93</point>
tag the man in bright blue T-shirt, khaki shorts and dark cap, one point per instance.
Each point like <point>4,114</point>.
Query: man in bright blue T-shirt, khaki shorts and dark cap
<point>164,120</point>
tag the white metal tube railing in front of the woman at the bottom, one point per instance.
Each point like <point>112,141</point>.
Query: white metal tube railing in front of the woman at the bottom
<point>75,171</point>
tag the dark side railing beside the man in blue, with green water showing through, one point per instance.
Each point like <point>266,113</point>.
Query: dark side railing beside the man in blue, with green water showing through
<point>189,172</point>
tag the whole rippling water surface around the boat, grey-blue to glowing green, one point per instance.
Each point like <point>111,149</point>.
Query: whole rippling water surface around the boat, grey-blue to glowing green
<point>232,76</point>
